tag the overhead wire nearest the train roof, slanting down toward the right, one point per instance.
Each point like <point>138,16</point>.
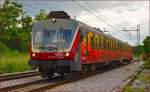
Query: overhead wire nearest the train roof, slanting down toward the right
<point>95,15</point>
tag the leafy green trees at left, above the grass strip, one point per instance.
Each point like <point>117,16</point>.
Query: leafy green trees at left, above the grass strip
<point>15,26</point>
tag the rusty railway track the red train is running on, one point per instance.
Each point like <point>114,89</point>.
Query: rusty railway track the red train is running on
<point>43,84</point>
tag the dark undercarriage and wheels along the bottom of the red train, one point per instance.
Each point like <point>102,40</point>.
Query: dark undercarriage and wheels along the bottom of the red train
<point>62,67</point>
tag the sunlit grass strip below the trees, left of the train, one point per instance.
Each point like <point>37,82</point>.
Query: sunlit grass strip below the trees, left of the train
<point>14,62</point>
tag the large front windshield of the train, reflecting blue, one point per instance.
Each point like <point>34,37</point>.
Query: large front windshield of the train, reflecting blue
<point>53,40</point>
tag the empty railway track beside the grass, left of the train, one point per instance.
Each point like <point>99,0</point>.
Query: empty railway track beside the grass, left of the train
<point>18,75</point>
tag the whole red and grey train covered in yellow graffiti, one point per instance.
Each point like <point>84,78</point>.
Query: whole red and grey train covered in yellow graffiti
<point>61,45</point>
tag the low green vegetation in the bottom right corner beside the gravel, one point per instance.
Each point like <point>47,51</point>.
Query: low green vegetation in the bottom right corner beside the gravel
<point>142,82</point>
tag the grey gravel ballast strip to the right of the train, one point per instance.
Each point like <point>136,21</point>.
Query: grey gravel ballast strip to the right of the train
<point>109,81</point>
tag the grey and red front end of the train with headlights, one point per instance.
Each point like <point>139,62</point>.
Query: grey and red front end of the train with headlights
<point>52,44</point>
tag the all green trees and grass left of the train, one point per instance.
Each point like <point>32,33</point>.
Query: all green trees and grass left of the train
<point>15,28</point>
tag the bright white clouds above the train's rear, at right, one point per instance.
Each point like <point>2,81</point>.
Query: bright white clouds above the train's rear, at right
<point>134,15</point>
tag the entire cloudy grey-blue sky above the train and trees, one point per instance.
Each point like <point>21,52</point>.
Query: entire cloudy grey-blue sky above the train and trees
<point>111,15</point>
